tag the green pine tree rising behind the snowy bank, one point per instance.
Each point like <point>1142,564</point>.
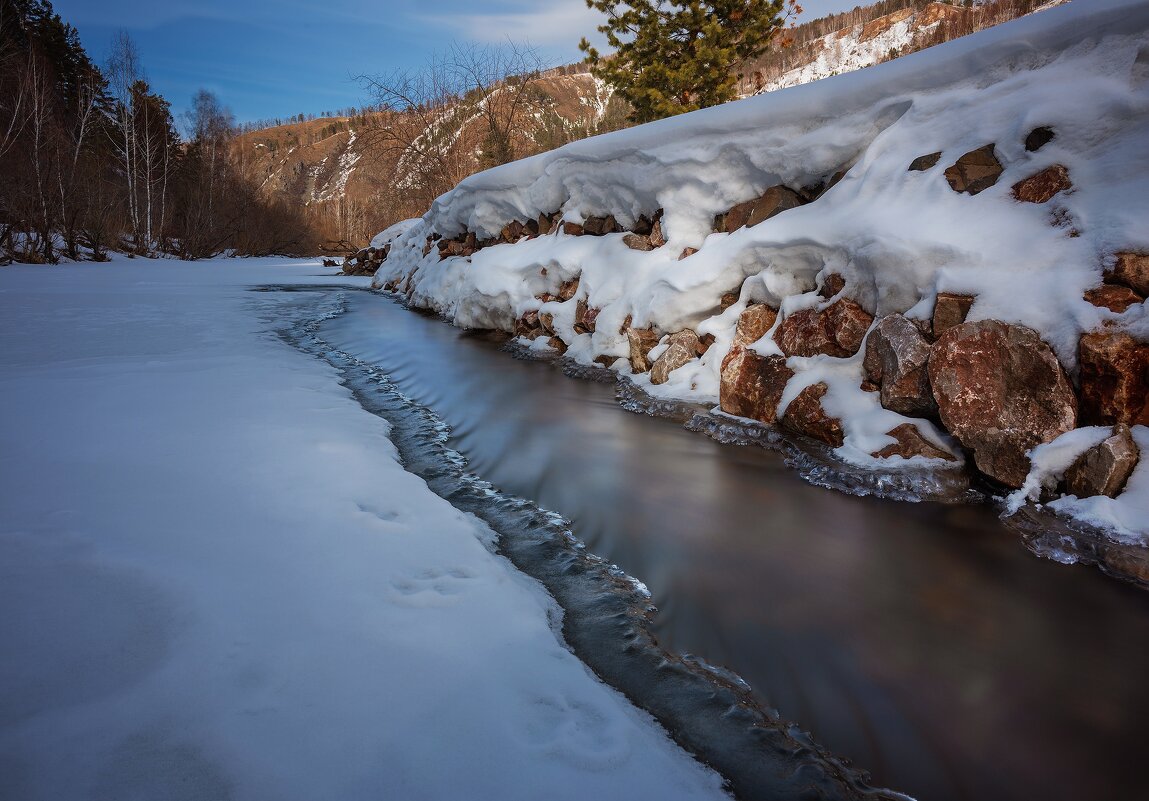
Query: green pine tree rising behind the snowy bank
<point>680,56</point>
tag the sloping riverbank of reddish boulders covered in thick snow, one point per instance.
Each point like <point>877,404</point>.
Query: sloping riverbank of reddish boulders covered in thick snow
<point>948,267</point>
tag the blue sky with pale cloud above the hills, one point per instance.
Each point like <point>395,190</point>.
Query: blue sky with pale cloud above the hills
<point>279,58</point>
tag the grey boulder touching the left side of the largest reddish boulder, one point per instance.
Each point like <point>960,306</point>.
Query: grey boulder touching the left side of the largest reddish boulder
<point>896,360</point>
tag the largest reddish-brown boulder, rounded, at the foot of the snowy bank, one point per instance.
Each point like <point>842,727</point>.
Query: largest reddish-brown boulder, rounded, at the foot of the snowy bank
<point>1000,391</point>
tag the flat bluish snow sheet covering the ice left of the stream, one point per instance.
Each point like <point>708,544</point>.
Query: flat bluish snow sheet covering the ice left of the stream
<point>217,581</point>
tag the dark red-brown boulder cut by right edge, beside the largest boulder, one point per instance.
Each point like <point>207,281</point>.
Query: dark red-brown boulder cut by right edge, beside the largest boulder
<point>1115,380</point>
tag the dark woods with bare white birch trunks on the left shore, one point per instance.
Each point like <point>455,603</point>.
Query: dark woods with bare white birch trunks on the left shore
<point>92,160</point>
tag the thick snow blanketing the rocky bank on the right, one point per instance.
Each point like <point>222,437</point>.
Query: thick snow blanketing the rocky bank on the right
<point>897,237</point>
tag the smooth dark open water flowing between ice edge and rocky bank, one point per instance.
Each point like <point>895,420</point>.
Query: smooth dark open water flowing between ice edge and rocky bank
<point>923,642</point>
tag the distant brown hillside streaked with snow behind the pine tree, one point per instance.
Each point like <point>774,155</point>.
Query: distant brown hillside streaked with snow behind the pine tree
<point>345,171</point>
